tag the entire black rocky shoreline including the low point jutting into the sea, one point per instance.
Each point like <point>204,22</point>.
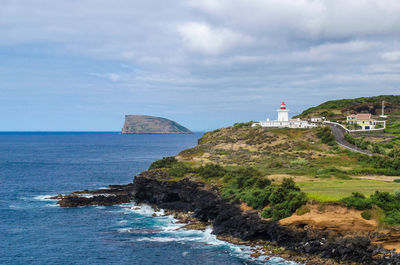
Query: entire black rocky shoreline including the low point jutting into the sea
<point>197,203</point>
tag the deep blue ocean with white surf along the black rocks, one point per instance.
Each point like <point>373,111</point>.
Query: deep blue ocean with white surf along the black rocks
<point>34,230</point>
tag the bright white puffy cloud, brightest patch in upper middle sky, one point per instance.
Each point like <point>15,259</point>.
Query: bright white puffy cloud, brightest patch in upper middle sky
<point>200,37</point>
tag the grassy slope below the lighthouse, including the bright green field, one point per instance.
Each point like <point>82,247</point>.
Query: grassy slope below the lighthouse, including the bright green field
<point>325,173</point>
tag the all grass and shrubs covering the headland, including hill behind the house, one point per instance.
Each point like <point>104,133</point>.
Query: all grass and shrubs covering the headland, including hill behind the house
<point>248,163</point>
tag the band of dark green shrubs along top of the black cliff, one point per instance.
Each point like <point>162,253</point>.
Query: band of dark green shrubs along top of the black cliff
<point>245,184</point>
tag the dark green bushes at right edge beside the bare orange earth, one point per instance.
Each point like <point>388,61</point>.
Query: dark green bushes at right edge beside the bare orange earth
<point>389,203</point>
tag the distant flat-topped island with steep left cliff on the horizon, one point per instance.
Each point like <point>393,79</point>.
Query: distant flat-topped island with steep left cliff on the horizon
<point>137,124</point>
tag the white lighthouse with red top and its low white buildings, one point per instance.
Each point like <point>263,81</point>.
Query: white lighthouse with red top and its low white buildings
<point>284,121</point>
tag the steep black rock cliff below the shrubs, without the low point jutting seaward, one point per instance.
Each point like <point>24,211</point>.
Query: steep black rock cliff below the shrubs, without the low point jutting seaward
<point>228,219</point>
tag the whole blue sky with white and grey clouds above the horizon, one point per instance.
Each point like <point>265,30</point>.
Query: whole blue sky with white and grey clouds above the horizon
<point>81,65</point>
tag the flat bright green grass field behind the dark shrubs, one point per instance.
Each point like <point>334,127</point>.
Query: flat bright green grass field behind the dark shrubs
<point>334,190</point>
